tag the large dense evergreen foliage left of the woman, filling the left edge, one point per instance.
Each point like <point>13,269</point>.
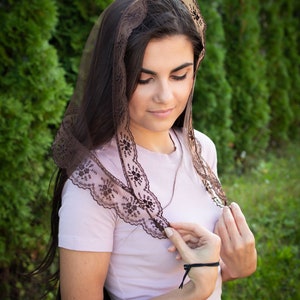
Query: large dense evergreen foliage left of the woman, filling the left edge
<point>33,94</point>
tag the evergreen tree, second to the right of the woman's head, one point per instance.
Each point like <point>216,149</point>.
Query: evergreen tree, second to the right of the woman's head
<point>245,67</point>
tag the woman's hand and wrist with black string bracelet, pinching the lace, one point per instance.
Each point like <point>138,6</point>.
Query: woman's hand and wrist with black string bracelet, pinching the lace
<point>196,244</point>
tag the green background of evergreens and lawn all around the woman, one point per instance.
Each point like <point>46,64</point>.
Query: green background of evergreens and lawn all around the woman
<point>246,100</point>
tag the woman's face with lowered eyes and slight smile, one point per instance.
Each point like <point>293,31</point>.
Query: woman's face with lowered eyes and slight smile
<point>164,85</point>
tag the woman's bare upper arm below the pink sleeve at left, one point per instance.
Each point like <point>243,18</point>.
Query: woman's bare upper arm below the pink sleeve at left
<point>82,274</point>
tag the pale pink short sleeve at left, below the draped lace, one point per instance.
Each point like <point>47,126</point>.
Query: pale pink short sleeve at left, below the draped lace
<point>84,225</point>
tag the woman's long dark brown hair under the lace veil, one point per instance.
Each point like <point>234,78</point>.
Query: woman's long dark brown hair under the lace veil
<point>96,124</point>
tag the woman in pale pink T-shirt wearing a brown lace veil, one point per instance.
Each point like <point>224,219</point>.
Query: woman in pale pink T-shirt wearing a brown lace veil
<point>131,165</point>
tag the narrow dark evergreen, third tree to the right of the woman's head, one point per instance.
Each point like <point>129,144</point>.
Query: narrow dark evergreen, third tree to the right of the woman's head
<point>278,80</point>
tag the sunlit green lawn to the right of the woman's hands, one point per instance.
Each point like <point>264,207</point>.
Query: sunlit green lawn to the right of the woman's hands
<point>269,196</point>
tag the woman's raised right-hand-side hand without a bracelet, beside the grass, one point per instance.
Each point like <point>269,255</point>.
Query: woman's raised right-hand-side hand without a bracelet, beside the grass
<point>238,252</point>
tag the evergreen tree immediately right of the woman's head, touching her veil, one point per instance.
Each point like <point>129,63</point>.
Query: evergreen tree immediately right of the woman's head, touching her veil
<point>211,108</point>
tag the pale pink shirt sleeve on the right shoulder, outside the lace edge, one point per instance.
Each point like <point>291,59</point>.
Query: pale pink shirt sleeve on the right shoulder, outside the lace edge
<point>209,152</point>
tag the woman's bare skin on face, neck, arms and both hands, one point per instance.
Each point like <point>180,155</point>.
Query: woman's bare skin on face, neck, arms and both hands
<point>161,95</point>
